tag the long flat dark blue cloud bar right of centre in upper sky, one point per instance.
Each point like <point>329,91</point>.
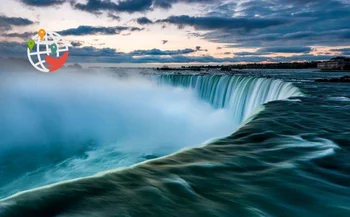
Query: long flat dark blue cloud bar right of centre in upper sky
<point>222,23</point>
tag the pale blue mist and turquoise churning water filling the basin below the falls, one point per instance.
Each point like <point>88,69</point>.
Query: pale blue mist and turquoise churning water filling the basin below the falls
<point>62,126</point>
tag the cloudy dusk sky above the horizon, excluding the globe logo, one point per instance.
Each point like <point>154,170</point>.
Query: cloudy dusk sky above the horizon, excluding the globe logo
<point>182,31</point>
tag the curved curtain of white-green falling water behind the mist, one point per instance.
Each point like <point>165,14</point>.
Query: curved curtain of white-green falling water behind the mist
<point>241,95</point>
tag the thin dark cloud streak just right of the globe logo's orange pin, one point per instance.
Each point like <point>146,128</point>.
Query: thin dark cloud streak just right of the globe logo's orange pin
<point>98,30</point>
